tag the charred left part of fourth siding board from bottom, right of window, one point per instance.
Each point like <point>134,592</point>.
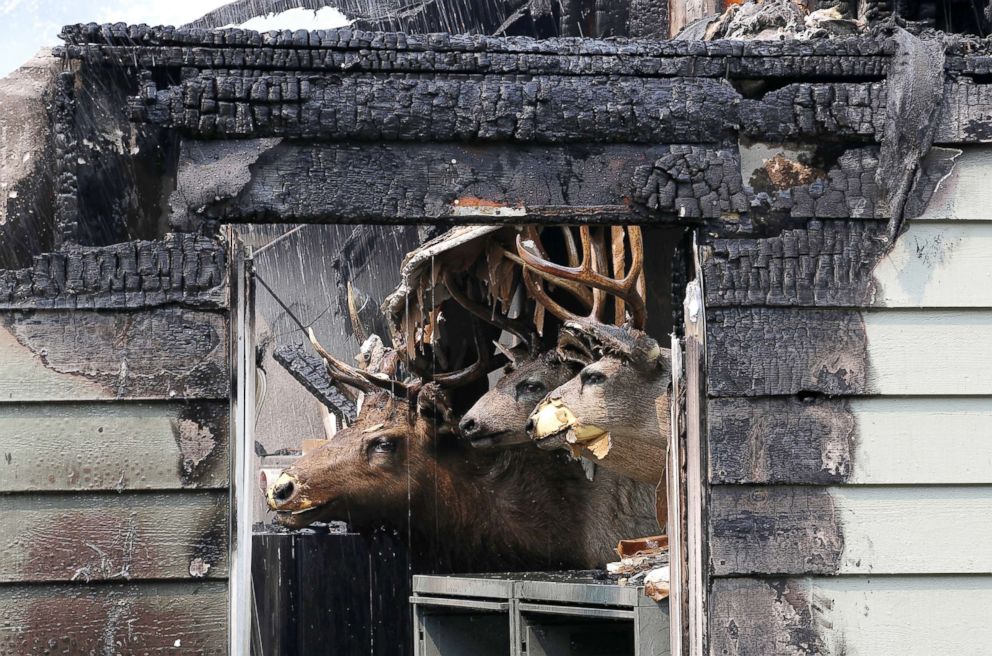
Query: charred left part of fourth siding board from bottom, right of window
<point>770,351</point>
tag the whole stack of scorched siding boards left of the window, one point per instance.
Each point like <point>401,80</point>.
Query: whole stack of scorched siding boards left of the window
<point>114,405</point>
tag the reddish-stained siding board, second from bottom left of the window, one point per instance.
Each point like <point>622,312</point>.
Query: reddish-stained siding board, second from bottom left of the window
<point>93,537</point>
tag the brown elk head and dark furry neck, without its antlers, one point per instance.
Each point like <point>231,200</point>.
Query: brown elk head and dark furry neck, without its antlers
<point>466,509</point>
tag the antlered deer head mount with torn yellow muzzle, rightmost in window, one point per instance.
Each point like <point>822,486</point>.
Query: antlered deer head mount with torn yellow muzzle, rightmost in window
<point>615,411</point>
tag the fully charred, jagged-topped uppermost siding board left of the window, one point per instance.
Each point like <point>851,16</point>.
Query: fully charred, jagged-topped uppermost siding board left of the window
<point>183,269</point>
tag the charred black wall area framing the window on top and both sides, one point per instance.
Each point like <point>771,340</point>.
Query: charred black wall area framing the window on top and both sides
<point>513,130</point>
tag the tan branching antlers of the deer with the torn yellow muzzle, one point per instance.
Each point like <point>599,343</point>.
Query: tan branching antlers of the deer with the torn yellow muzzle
<point>626,288</point>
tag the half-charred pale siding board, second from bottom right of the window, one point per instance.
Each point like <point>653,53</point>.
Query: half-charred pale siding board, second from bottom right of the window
<point>851,530</point>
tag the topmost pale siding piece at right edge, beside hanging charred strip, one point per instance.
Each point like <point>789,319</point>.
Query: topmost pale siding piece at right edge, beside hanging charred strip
<point>965,194</point>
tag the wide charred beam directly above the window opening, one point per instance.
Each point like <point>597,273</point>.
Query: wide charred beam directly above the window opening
<point>389,182</point>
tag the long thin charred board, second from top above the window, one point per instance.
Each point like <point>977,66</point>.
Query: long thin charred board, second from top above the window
<point>674,59</point>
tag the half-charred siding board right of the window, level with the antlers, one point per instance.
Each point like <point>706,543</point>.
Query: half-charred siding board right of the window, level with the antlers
<point>850,264</point>
